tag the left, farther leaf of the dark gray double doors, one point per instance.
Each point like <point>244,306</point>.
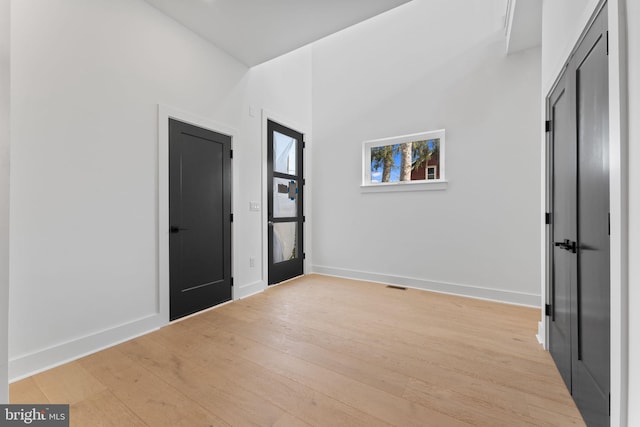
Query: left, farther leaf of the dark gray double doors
<point>564,231</point>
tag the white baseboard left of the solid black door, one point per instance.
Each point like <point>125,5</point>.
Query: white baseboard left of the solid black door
<point>33,363</point>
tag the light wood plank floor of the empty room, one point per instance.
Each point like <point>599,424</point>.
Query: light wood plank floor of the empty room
<point>321,351</point>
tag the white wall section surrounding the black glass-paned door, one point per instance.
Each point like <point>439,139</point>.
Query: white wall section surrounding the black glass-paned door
<point>281,90</point>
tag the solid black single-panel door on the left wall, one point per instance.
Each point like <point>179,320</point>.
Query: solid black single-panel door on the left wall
<point>199,218</point>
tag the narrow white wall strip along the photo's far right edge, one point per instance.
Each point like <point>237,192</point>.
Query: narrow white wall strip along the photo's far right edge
<point>633,25</point>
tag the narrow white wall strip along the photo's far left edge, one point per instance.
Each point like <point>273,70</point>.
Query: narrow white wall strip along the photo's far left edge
<point>4,195</point>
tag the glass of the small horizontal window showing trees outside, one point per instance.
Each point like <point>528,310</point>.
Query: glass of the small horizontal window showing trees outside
<point>406,162</point>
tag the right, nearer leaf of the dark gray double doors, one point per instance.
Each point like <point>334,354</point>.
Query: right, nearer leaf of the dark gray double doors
<point>591,365</point>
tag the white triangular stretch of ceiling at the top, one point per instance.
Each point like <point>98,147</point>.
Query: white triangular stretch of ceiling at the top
<point>255,31</point>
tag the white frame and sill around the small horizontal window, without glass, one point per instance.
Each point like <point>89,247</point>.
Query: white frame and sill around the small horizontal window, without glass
<point>418,185</point>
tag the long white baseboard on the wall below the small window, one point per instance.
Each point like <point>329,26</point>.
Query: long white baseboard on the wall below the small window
<point>509,297</point>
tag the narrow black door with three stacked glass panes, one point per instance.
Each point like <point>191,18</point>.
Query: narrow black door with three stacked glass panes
<point>285,202</point>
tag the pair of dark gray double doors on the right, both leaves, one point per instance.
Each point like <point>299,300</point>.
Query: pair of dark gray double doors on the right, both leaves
<point>579,327</point>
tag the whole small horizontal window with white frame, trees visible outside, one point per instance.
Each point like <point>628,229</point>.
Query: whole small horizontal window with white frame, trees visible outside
<point>409,162</point>
